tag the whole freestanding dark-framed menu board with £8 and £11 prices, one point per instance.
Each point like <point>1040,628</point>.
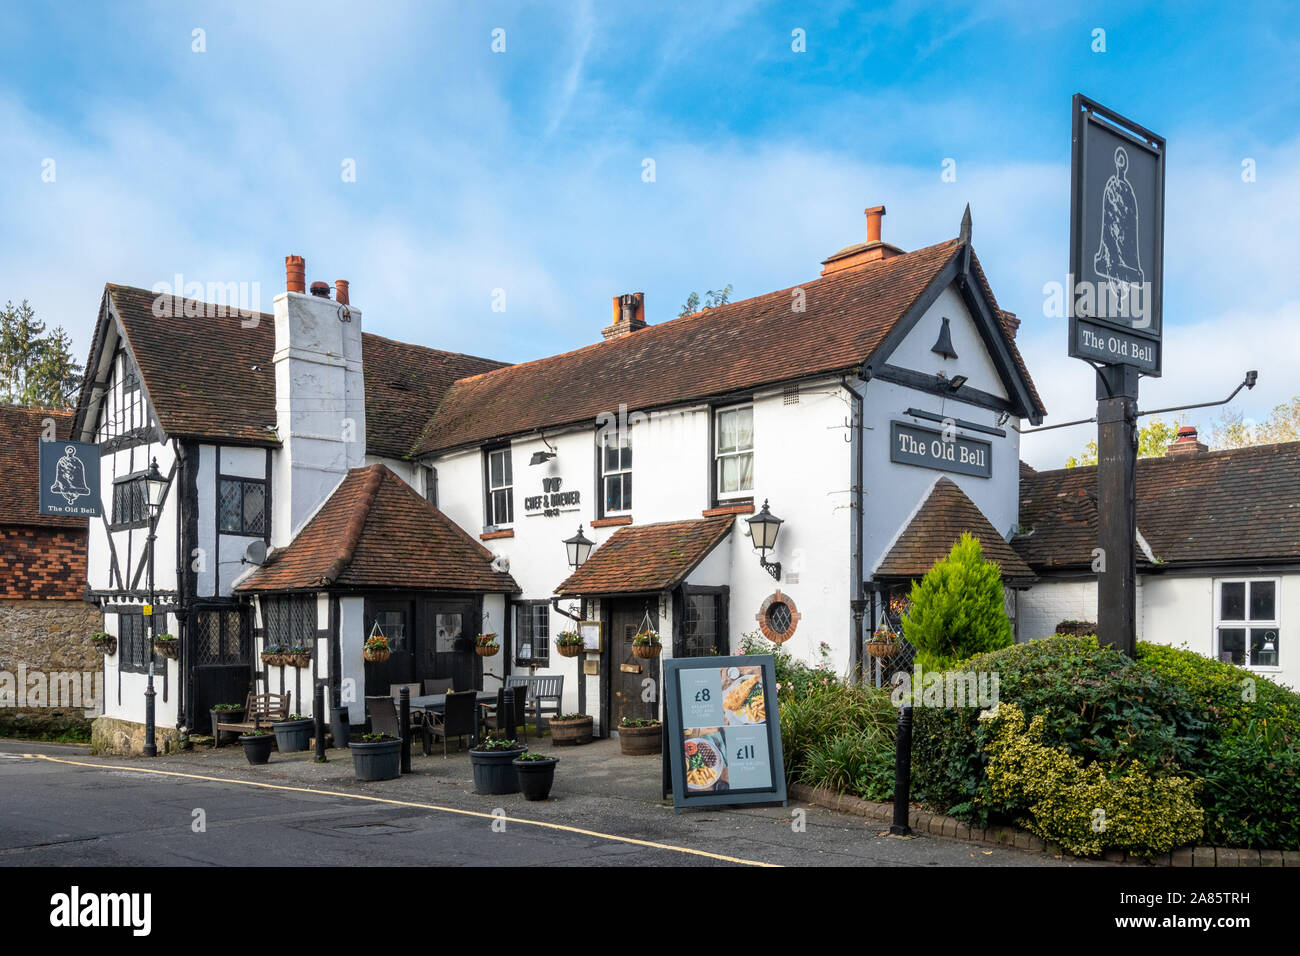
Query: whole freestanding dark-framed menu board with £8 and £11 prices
<point>725,734</point>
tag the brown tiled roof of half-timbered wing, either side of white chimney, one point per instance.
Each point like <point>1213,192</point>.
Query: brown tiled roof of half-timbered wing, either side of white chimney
<point>213,378</point>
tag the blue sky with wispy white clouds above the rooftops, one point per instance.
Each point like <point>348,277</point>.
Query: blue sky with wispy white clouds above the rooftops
<point>523,171</point>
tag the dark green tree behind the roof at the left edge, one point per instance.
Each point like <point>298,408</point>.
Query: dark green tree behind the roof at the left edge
<point>36,369</point>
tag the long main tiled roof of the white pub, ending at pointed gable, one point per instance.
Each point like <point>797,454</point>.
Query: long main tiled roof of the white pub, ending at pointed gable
<point>739,347</point>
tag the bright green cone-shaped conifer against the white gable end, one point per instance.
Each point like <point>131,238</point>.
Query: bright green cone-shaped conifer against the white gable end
<point>957,608</point>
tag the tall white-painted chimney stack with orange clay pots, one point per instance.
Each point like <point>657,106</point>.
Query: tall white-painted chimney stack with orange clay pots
<point>320,399</point>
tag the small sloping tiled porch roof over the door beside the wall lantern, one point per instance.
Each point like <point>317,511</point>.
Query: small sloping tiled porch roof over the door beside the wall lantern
<point>648,557</point>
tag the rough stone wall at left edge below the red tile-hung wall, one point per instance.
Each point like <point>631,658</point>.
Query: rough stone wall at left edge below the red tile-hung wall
<point>40,642</point>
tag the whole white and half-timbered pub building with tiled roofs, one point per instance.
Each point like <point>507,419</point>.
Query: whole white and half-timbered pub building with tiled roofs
<point>775,466</point>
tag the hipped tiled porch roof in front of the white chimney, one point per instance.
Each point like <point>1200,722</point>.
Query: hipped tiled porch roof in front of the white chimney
<point>376,533</point>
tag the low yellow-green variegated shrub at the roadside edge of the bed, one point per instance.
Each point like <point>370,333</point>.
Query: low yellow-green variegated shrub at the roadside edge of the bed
<point>1082,807</point>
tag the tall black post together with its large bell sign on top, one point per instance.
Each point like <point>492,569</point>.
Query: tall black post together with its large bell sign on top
<point>1117,239</point>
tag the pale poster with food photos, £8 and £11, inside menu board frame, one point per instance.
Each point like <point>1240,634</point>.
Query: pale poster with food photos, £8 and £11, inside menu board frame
<point>725,730</point>
